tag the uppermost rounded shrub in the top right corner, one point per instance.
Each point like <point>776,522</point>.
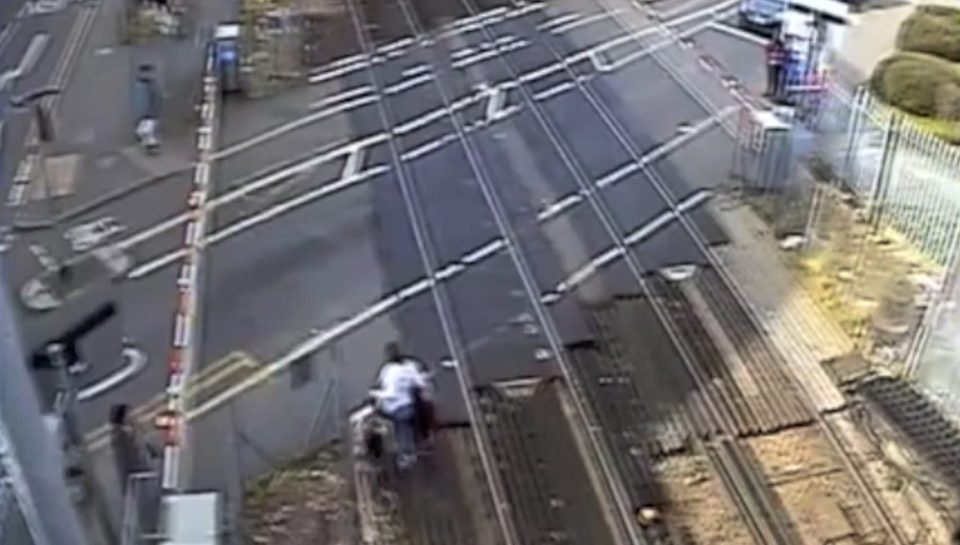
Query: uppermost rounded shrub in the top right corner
<point>934,30</point>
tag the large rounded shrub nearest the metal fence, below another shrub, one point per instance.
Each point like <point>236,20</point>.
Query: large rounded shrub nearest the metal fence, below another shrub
<point>912,82</point>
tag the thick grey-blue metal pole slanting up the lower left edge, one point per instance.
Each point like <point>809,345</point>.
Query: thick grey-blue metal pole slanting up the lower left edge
<point>39,485</point>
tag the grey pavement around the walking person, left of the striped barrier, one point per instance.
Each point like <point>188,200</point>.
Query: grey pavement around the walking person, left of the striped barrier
<point>96,154</point>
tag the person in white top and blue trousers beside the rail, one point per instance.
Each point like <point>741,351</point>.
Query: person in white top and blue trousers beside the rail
<point>399,380</point>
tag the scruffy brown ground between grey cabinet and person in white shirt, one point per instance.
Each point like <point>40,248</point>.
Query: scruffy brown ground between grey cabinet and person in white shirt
<point>307,502</point>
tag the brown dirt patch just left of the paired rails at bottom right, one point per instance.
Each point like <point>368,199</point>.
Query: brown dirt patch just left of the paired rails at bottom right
<point>698,505</point>
